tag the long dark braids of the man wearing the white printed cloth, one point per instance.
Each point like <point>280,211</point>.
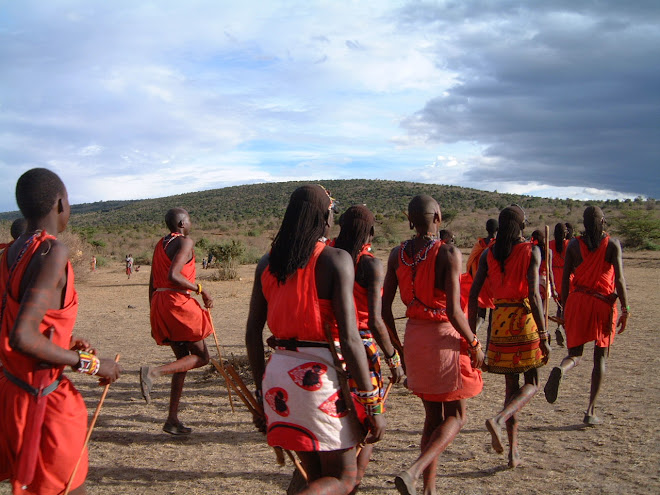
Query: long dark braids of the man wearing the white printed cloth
<point>302,226</point>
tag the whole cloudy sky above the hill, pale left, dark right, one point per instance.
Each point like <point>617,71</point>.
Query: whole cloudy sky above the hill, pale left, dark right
<point>133,100</point>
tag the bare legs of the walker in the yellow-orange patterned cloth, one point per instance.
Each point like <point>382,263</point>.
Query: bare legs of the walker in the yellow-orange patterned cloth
<point>516,398</point>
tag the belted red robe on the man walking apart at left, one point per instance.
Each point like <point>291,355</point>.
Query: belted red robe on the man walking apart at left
<point>175,315</point>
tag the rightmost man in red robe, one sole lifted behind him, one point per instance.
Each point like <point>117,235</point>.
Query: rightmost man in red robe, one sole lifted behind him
<point>594,260</point>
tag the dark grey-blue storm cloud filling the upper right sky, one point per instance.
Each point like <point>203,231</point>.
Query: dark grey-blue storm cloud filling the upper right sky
<point>561,93</point>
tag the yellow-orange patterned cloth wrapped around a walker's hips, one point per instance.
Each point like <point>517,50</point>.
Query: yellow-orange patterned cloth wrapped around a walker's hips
<point>514,340</point>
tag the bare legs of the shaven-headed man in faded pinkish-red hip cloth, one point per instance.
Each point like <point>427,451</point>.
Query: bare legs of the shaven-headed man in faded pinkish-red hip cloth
<point>443,422</point>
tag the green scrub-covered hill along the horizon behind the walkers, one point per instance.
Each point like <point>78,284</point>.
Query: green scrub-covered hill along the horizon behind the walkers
<point>239,203</point>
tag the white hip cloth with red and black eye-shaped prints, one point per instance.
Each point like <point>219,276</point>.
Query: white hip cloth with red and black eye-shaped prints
<point>303,403</point>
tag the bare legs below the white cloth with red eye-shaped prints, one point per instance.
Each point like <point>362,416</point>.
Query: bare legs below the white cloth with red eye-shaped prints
<point>330,473</point>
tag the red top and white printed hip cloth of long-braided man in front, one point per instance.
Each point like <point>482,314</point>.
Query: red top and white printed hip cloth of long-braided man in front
<point>304,407</point>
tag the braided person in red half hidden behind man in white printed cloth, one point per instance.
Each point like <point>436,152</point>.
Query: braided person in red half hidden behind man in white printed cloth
<point>357,232</point>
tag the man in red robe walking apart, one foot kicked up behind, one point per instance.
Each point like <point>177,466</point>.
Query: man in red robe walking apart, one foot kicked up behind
<point>177,319</point>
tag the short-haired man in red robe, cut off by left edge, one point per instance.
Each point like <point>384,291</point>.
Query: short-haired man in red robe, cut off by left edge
<point>44,417</point>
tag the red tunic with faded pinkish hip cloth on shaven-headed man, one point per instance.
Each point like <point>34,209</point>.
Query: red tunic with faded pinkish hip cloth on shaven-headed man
<point>440,370</point>
